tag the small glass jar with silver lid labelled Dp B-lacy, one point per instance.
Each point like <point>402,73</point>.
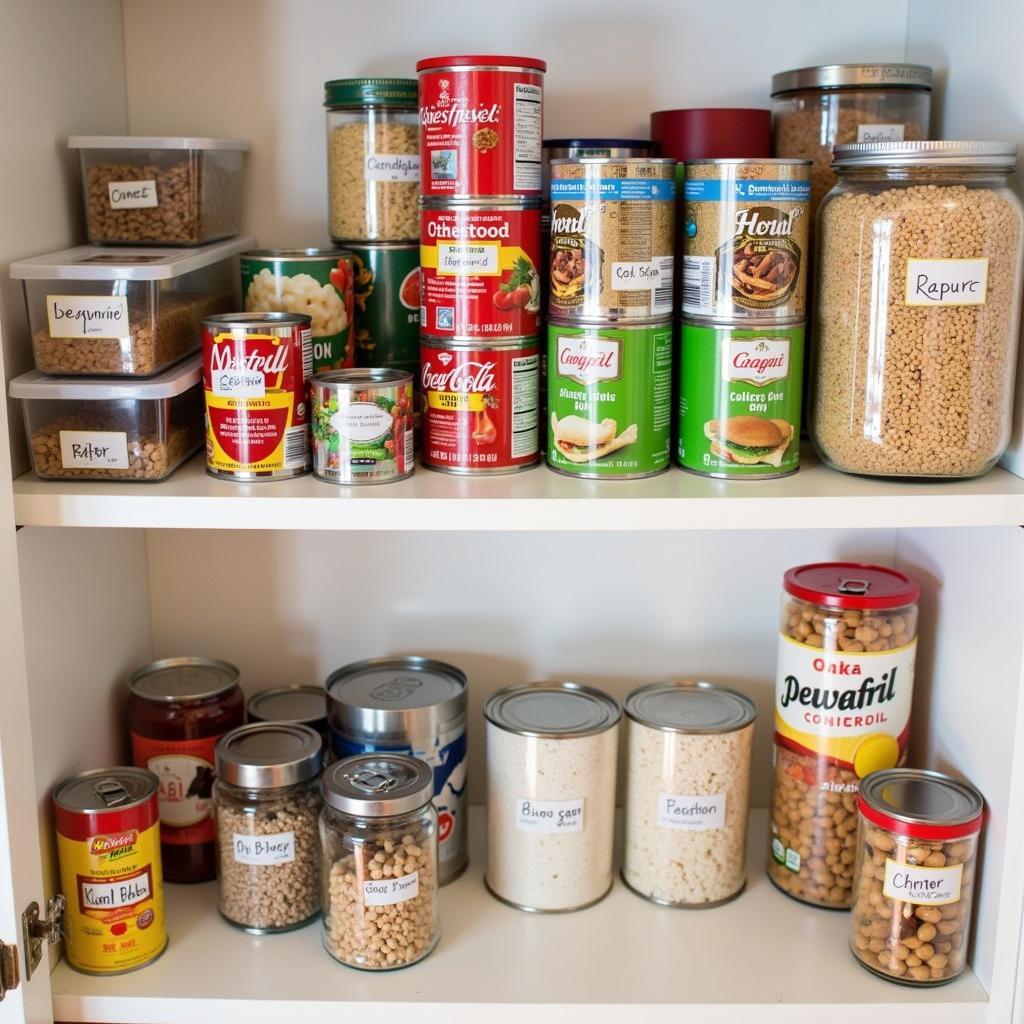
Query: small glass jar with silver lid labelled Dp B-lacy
<point>267,804</point>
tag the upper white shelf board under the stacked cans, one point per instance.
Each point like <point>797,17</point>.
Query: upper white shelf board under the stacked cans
<point>536,500</point>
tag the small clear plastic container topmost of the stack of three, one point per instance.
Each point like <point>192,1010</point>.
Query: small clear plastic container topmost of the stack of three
<point>168,191</point>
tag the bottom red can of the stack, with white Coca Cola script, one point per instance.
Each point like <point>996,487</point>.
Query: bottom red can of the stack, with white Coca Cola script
<point>480,406</point>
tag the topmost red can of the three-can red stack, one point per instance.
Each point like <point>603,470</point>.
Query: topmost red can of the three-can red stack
<point>482,126</point>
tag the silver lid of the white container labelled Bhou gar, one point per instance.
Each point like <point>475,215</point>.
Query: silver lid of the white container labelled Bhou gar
<point>552,710</point>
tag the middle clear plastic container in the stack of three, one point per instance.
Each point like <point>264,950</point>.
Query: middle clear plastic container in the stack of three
<point>127,313</point>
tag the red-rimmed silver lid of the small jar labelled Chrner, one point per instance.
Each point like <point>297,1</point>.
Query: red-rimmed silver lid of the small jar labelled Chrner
<point>921,804</point>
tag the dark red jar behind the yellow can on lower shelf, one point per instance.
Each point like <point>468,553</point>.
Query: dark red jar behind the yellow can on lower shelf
<point>178,711</point>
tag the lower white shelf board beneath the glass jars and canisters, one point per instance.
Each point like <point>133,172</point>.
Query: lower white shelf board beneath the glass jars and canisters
<point>761,959</point>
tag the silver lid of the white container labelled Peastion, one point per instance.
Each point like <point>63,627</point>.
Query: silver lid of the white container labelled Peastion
<point>693,708</point>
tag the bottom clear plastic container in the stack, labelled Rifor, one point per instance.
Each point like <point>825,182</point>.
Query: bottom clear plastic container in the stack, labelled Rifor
<point>116,431</point>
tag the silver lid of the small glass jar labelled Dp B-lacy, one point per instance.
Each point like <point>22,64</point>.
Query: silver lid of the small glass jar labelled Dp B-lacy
<point>269,755</point>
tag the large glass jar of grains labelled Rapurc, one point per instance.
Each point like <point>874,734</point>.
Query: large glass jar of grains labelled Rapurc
<point>918,311</point>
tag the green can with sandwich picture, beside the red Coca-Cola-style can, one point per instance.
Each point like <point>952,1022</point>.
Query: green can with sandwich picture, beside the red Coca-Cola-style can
<point>610,400</point>
